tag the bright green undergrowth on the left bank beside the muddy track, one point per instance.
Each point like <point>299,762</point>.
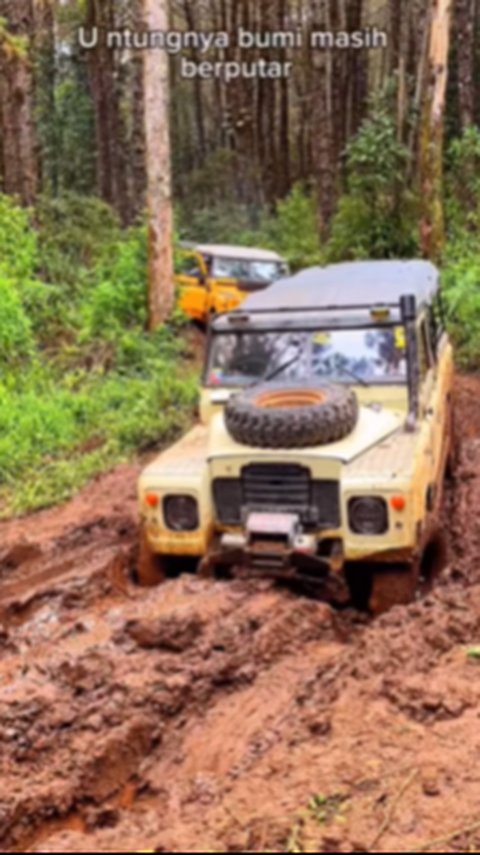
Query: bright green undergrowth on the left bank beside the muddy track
<point>81,384</point>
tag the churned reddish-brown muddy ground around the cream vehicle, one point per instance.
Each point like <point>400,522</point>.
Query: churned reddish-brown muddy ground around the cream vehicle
<point>219,717</point>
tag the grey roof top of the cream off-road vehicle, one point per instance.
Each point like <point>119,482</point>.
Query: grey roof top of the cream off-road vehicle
<point>361,283</point>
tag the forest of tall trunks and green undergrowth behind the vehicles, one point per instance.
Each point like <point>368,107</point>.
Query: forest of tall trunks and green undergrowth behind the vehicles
<point>371,151</point>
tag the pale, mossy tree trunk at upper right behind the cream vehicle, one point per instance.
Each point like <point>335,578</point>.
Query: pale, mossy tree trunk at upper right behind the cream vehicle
<point>432,226</point>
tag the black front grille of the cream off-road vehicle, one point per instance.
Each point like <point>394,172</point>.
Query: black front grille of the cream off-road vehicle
<point>282,488</point>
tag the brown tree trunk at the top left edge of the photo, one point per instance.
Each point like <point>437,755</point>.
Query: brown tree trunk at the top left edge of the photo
<point>17,138</point>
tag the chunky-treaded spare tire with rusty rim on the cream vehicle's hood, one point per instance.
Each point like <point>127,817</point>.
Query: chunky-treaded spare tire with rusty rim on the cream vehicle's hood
<point>293,416</point>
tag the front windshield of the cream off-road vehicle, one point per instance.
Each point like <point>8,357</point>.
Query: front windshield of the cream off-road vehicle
<point>366,356</point>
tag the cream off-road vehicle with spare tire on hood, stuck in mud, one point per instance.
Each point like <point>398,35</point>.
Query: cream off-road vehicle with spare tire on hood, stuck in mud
<point>326,433</point>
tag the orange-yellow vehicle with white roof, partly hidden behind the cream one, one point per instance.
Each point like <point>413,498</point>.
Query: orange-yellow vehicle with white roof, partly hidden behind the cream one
<point>214,279</point>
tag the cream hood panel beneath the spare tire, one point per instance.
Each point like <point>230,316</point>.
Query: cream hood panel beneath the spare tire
<point>372,427</point>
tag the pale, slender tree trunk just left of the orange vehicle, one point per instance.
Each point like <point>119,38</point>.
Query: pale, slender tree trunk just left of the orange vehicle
<point>161,291</point>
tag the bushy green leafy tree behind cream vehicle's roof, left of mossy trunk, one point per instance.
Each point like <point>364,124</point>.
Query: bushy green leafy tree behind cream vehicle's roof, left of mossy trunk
<point>377,217</point>
